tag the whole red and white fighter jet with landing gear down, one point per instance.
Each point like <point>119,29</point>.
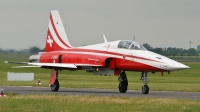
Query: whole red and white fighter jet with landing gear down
<point>108,58</point>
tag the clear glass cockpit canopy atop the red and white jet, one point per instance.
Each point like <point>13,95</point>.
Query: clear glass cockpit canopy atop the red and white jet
<point>129,44</point>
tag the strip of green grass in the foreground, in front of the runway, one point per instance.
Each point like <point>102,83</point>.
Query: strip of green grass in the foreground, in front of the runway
<point>92,103</point>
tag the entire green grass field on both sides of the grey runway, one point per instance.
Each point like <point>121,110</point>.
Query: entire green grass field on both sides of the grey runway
<point>185,80</point>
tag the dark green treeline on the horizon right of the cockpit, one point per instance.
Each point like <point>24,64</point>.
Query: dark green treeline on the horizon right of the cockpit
<point>172,51</point>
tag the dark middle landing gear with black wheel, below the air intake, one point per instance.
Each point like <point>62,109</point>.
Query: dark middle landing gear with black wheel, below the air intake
<point>123,82</point>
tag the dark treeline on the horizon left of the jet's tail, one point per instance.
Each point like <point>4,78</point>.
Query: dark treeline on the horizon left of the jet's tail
<point>29,51</point>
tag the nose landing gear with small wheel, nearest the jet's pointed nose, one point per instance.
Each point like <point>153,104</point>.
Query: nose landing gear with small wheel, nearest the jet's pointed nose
<point>145,87</point>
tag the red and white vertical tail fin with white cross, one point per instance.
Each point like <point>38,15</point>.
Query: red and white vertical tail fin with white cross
<point>56,37</point>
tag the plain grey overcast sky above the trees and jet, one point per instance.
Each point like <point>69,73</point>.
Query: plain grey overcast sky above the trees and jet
<point>160,23</point>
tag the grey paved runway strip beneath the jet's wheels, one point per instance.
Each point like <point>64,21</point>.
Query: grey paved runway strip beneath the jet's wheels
<point>99,92</point>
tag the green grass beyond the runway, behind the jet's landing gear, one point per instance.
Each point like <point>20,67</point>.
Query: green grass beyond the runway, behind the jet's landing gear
<point>185,80</point>
